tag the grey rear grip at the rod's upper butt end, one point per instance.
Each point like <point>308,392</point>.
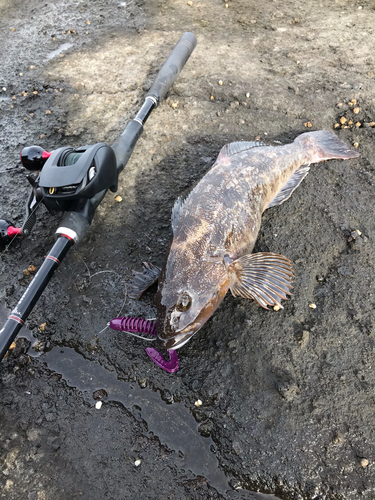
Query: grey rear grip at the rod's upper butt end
<point>172,66</point>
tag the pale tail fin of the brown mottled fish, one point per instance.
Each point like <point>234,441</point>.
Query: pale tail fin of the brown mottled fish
<point>325,145</point>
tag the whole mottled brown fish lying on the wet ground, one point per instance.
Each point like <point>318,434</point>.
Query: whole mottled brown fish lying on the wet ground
<point>215,229</point>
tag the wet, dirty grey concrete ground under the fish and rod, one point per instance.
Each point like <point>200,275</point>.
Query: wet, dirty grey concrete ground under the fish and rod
<point>288,395</point>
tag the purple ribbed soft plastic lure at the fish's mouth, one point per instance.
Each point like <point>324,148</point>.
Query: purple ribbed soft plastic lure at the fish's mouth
<point>144,326</point>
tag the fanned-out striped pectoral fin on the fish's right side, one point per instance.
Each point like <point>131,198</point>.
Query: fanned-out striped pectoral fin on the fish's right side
<point>264,277</point>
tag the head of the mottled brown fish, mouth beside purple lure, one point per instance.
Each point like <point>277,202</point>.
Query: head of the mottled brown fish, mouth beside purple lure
<point>186,300</point>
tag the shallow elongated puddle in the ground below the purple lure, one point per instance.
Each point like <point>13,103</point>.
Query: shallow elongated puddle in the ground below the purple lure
<point>173,424</point>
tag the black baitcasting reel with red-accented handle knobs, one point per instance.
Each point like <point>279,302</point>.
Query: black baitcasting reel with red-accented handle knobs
<point>61,179</point>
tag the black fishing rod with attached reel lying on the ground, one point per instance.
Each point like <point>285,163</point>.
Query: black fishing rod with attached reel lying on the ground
<point>75,181</point>
